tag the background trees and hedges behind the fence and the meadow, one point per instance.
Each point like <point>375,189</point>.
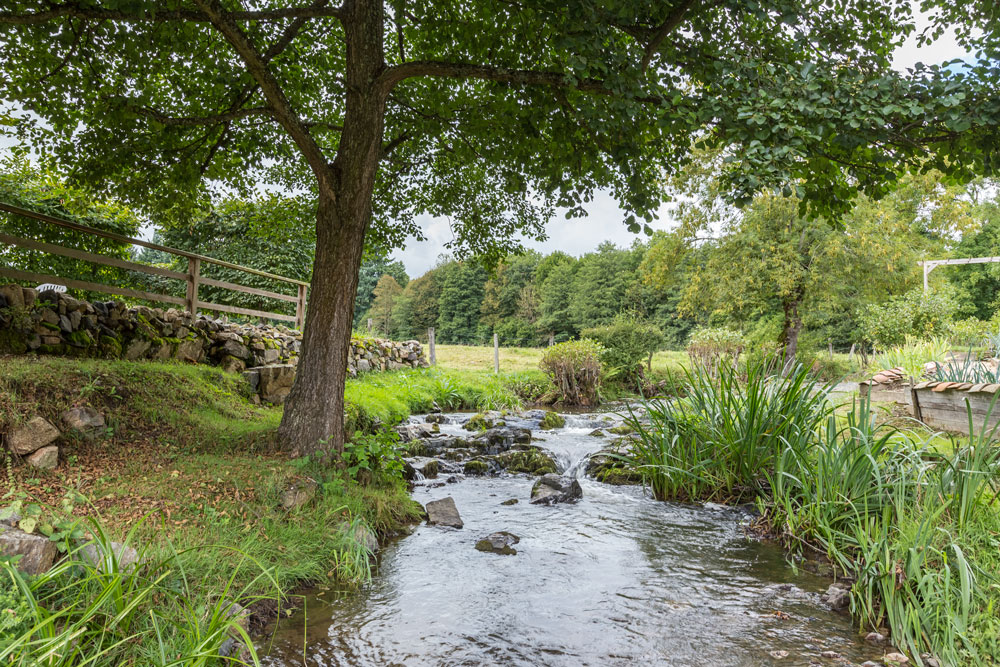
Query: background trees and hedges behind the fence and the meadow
<point>766,272</point>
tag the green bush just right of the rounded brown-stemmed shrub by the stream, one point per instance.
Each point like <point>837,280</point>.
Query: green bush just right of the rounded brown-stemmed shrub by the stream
<point>627,341</point>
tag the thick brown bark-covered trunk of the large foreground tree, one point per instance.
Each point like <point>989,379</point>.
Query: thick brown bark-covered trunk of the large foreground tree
<point>314,412</point>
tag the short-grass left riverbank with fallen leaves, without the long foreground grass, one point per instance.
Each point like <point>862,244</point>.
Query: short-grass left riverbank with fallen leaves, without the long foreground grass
<point>184,470</point>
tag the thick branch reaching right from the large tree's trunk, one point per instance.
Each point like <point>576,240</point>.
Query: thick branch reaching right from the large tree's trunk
<point>451,70</point>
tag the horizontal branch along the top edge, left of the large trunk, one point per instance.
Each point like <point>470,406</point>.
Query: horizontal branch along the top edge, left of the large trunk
<point>76,10</point>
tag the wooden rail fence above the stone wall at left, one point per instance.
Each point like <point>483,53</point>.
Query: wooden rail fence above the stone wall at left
<point>192,277</point>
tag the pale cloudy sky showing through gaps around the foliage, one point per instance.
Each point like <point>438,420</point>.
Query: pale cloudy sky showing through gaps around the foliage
<point>604,221</point>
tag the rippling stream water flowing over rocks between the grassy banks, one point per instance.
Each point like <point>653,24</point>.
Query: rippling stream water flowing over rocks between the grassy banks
<point>616,579</point>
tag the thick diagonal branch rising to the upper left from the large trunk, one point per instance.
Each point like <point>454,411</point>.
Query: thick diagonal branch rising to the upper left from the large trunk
<point>281,108</point>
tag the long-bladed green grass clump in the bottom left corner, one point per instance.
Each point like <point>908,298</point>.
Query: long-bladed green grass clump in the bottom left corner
<point>93,608</point>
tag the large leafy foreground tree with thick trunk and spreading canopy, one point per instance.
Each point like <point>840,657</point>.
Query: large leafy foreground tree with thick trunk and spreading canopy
<point>490,112</point>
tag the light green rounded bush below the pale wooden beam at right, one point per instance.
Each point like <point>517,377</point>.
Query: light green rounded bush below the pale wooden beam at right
<point>912,314</point>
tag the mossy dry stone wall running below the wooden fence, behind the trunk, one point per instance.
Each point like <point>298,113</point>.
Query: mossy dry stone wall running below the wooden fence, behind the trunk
<point>56,323</point>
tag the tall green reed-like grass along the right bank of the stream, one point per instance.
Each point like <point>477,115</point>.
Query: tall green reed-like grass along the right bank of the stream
<point>915,529</point>
